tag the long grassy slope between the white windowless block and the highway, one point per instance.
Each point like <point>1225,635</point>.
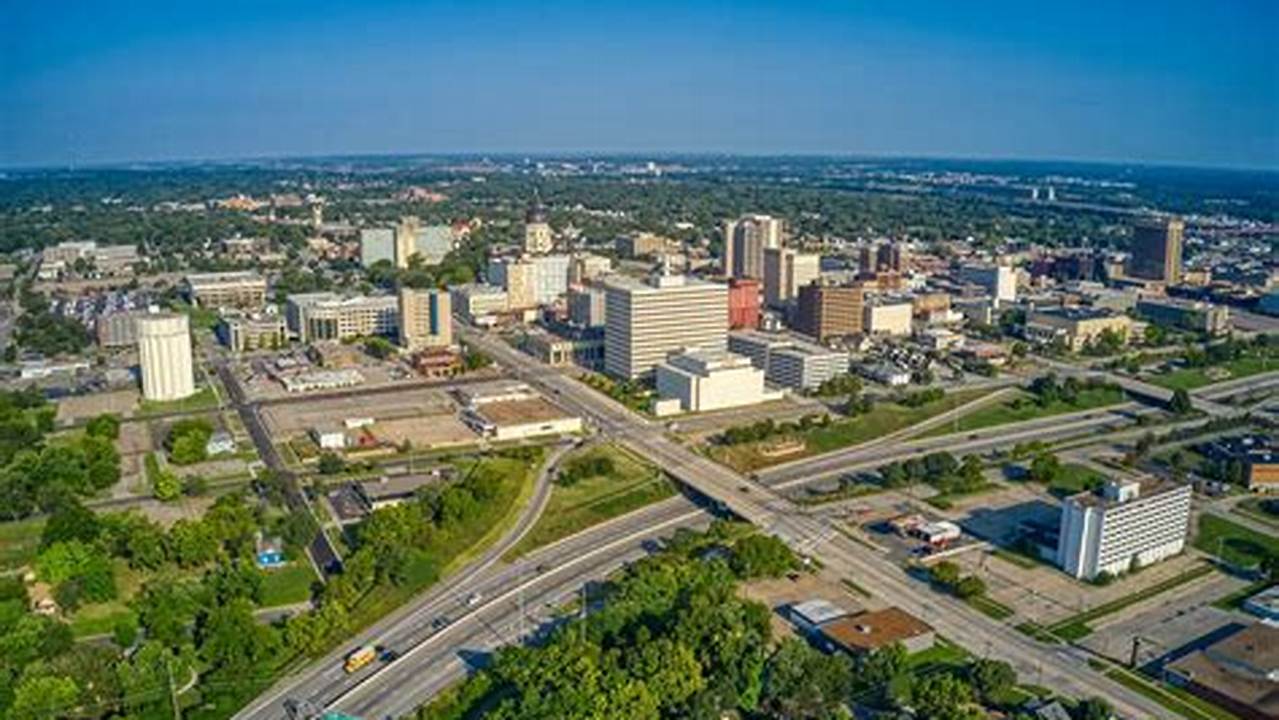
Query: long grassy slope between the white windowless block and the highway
<point>883,420</point>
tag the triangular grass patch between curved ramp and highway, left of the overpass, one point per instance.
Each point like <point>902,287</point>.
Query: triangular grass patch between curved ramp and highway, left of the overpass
<point>632,484</point>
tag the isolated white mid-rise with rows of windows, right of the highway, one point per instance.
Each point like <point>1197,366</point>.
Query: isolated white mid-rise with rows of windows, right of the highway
<point>1126,525</point>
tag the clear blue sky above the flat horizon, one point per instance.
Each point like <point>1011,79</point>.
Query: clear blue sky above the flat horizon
<point>1172,82</point>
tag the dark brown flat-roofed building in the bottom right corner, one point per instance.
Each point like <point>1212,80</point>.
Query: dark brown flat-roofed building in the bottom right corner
<point>1237,673</point>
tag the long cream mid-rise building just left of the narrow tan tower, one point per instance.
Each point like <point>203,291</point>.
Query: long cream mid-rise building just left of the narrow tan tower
<point>329,317</point>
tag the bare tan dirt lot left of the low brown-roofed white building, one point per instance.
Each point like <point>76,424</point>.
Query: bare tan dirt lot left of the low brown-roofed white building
<point>296,419</point>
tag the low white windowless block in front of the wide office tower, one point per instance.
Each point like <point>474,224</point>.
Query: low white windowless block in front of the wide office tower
<point>712,380</point>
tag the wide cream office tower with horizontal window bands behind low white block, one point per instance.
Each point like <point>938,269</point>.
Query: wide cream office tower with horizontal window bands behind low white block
<point>647,320</point>
